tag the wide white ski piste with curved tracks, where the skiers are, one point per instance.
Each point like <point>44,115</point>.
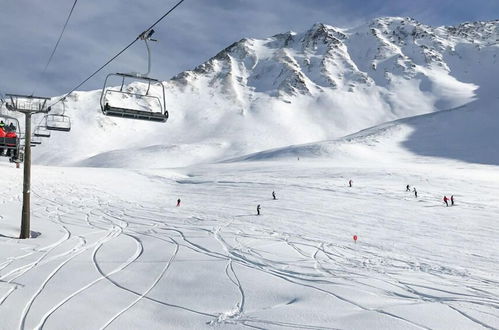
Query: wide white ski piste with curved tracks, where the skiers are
<point>113,251</point>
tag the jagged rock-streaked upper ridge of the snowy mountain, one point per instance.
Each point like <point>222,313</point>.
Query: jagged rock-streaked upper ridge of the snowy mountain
<point>324,57</point>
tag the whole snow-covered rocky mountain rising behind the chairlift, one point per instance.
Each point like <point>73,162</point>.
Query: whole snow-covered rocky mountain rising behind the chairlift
<point>291,88</point>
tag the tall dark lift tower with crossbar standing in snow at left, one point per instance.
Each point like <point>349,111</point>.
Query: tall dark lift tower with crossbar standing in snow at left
<point>28,105</point>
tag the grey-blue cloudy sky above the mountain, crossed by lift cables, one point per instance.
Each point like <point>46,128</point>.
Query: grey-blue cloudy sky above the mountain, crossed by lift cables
<point>193,33</point>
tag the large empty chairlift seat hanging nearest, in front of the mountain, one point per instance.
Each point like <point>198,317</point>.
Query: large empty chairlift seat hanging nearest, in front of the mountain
<point>134,101</point>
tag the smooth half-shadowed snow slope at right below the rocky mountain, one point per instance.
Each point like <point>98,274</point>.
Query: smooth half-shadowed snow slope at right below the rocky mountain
<point>467,133</point>
